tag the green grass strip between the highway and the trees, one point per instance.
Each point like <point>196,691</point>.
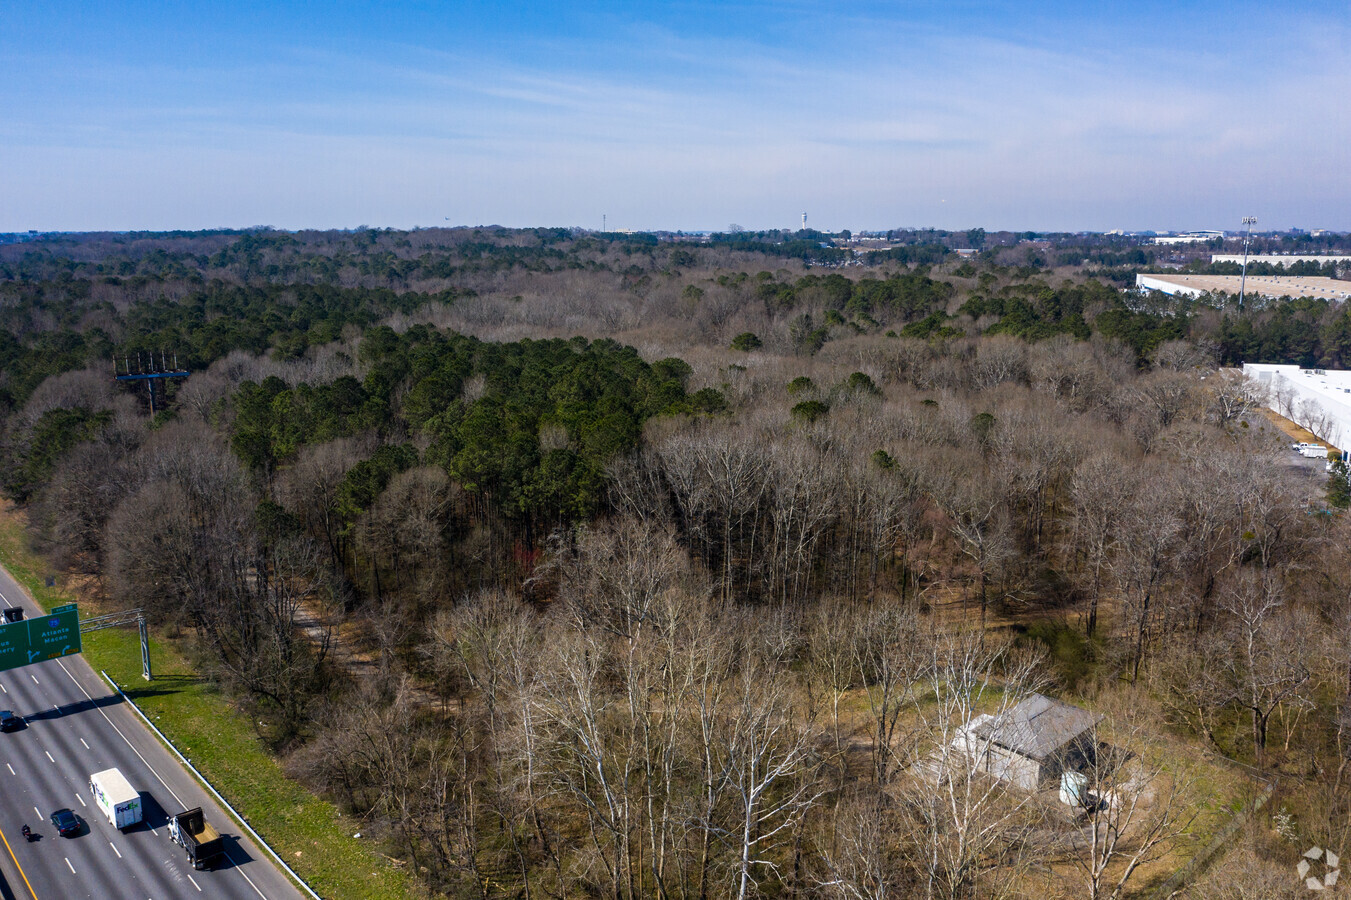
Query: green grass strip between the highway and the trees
<point>311,834</point>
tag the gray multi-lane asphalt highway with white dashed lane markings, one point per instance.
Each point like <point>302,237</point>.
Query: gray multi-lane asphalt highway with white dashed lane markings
<point>75,726</point>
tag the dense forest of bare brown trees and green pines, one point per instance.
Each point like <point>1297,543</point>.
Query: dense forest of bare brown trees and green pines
<point>683,563</point>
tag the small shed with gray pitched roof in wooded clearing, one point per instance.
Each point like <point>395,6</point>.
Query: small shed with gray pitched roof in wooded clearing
<point>1034,743</point>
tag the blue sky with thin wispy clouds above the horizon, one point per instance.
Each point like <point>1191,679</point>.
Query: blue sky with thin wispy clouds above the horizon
<point>678,116</point>
